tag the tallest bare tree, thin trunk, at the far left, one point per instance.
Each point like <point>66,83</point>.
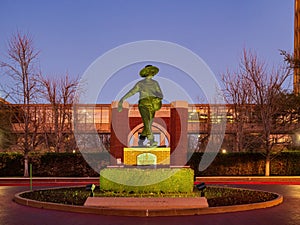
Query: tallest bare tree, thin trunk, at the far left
<point>20,68</point>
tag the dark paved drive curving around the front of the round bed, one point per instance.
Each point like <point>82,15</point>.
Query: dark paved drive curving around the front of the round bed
<point>287,213</point>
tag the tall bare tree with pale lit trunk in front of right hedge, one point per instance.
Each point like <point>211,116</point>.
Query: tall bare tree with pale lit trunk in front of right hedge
<point>267,89</point>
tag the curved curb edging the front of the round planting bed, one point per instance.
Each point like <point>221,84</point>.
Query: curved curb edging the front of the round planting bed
<point>109,211</point>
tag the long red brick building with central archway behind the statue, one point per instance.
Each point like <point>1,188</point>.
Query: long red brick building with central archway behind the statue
<point>167,126</point>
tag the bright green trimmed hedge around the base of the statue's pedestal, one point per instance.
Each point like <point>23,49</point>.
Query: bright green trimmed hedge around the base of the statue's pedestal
<point>163,180</point>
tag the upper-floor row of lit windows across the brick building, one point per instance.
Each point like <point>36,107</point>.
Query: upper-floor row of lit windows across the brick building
<point>102,114</point>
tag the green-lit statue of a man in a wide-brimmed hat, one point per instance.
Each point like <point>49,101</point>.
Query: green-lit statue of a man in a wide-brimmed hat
<point>150,97</point>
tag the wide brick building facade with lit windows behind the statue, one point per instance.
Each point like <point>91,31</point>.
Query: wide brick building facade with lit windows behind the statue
<point>88,119</point>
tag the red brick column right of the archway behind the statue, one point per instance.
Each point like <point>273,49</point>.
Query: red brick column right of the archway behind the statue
<point>178,133</point>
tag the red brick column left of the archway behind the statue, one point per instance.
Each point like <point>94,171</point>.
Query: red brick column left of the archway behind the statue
<point>119,132</point>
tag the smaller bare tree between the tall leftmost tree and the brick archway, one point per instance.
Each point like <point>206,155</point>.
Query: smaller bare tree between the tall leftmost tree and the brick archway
<point>60,93</point>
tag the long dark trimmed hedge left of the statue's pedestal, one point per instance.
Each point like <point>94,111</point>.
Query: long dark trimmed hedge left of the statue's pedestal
<point>53,164</point>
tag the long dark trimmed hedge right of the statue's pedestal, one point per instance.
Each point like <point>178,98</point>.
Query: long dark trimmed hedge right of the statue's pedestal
<point>248,164</point>
